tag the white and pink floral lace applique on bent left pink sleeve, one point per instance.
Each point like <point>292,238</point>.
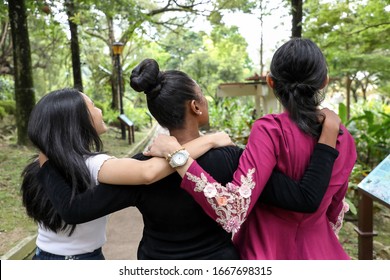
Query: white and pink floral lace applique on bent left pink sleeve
<point>230,203</point>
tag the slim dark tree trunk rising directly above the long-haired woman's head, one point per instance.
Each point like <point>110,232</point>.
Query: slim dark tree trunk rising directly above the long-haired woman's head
<point>74,46</point>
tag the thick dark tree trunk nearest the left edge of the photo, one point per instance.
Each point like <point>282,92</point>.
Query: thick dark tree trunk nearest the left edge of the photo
<point>24,86</point>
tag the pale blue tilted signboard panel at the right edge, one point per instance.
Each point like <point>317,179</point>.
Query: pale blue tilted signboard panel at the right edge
<point>377,183</point>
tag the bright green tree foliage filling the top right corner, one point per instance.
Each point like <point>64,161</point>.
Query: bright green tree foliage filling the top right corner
<point>353,36</point>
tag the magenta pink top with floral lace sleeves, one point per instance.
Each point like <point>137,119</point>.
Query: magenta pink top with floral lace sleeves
<point>263,231</point>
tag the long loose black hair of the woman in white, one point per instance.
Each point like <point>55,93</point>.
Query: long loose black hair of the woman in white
<point>61,127</point>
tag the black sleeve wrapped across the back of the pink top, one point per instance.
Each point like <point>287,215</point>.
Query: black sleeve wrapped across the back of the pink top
<point>304,196</point>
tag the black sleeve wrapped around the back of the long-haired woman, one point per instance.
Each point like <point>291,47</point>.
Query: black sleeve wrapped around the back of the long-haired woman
<point>89,205</point>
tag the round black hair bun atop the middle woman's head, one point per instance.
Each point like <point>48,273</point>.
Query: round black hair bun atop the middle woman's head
<point>146,77</point>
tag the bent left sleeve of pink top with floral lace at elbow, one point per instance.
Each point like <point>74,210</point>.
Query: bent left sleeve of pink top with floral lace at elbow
<point>230,205</point>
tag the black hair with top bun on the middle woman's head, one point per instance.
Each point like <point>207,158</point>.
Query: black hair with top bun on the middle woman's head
<point>166,92</point>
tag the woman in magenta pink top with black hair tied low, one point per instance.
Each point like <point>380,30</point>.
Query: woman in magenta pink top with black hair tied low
<point>283,141</point>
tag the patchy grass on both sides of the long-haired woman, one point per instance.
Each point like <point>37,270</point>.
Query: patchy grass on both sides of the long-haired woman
<point>15,225</point>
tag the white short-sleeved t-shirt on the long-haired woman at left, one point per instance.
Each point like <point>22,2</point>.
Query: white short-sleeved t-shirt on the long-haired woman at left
<point>87,237</point>
